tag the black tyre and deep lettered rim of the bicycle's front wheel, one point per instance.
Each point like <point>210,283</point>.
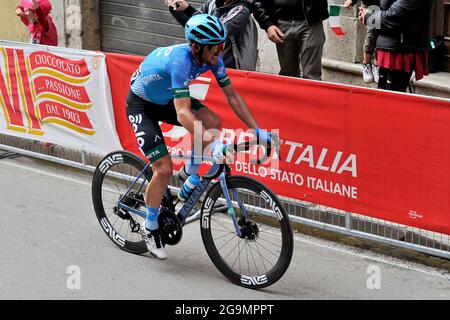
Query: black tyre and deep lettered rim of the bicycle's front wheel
<point>246,185</point>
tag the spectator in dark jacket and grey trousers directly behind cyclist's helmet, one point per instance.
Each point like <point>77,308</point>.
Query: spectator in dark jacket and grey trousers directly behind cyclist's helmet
<point>241,48</point>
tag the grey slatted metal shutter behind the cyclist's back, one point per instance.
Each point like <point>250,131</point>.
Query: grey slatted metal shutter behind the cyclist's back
<point>138,26</point>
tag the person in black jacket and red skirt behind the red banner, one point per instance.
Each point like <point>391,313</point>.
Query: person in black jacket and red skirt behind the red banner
<point>402,44</point>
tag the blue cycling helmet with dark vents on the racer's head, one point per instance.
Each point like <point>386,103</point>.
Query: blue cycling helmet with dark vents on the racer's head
<point>206,29</point>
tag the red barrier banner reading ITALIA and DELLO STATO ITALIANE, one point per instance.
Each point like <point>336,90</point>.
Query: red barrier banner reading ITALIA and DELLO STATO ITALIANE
<point>366,151</point>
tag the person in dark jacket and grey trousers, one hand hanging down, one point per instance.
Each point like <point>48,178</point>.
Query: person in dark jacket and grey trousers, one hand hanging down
<point>295,26</point>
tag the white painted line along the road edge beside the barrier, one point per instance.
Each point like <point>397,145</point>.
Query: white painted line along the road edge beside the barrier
<point>301,238</point>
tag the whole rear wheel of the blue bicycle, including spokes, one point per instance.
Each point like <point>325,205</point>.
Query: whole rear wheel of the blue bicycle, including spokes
<point>112,178</point>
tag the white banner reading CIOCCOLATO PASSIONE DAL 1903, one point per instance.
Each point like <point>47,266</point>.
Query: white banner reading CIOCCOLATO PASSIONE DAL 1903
<point>56,95</point>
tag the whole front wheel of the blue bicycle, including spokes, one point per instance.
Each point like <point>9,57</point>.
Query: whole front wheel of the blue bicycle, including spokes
<point>263,253</point>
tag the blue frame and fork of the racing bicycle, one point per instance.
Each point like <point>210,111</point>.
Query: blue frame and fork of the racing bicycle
<point>195,196</point>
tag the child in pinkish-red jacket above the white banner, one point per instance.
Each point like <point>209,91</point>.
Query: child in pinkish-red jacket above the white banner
<point>35,14</point>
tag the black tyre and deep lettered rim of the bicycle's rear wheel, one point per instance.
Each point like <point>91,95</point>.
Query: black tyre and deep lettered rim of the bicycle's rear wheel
<point>105,166</point>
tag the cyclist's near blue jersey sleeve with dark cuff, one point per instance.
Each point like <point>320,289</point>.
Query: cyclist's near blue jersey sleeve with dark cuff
<point>179,69</point>
